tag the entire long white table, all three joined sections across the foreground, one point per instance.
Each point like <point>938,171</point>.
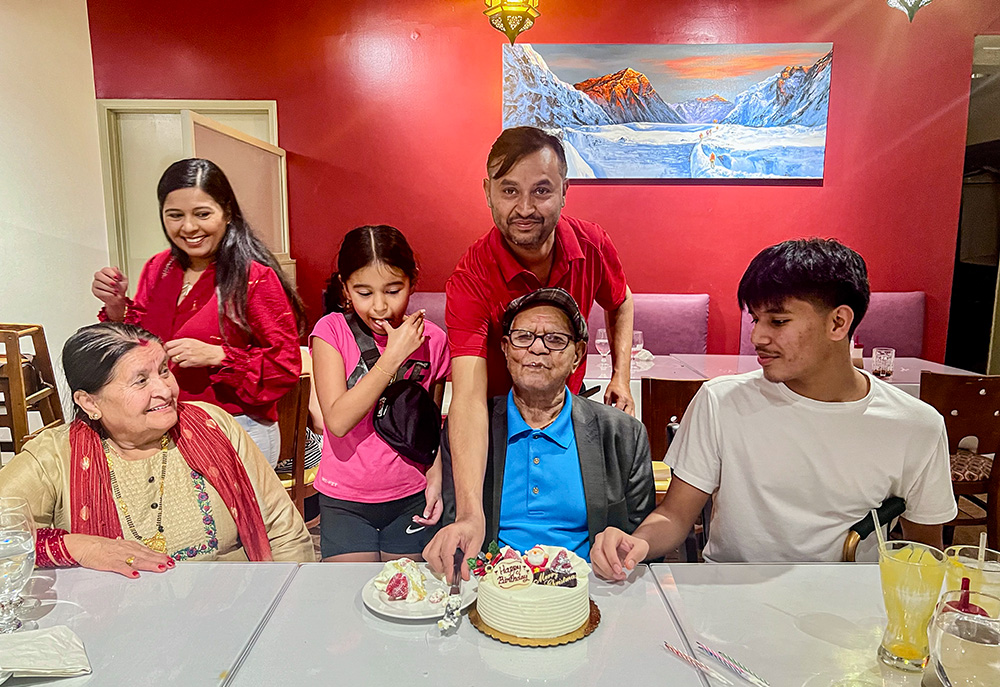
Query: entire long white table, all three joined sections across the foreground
<point>266,624</point>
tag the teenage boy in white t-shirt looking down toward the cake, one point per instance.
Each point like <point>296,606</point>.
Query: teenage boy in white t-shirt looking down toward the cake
<point>796,452</point>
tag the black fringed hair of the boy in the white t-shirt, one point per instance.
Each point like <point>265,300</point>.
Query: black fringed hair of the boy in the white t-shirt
<point>822,271</point>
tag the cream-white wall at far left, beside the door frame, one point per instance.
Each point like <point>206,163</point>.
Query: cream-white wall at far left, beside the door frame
<point>52,225</point>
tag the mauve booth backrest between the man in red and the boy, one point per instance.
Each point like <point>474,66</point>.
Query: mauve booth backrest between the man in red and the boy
<point>669,322</point>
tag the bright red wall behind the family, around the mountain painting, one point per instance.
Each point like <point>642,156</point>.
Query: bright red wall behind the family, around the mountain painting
<point>387,110</point>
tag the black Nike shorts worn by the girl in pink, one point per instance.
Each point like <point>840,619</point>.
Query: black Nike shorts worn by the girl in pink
<point>353,527</point>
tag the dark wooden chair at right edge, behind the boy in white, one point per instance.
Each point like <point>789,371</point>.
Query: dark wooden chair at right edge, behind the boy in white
<point>970,406</point>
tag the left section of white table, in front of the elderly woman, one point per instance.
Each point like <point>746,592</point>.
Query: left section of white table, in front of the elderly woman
<point>186,626</point>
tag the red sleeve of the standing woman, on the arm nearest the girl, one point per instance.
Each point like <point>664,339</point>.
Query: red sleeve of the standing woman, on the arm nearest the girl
<point>269,366</point>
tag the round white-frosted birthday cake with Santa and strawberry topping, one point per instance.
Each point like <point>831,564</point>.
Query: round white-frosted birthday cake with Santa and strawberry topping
<point>541,594</point>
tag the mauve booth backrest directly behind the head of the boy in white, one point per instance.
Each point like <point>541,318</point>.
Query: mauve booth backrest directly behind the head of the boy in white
<point>894,318</point>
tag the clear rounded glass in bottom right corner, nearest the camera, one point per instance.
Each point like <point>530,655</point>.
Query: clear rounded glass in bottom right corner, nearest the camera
<point>965,639</point>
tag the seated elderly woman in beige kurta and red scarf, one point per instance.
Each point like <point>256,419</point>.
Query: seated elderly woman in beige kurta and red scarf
<point>139,480</point>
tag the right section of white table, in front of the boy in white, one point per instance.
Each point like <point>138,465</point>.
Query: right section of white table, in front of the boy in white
<point>801,624</point>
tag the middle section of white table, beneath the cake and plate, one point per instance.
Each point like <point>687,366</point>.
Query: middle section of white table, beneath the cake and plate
<point>321,632</point>
